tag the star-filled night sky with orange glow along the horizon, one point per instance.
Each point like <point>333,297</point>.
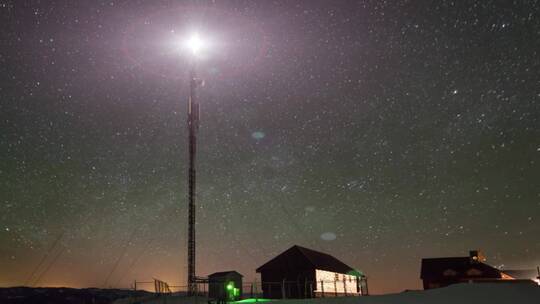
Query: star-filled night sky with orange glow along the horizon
<point>380,132</point>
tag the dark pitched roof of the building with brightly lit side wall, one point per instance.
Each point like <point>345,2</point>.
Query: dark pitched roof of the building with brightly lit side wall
<point>315,259</point>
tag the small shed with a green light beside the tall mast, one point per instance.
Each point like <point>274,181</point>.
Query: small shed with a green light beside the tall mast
<point>225,286</point>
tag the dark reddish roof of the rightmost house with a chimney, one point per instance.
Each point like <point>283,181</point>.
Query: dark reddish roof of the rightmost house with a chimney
<point>458,267</point>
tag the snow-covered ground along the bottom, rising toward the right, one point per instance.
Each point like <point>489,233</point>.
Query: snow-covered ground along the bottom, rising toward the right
<point>457,294</point>
